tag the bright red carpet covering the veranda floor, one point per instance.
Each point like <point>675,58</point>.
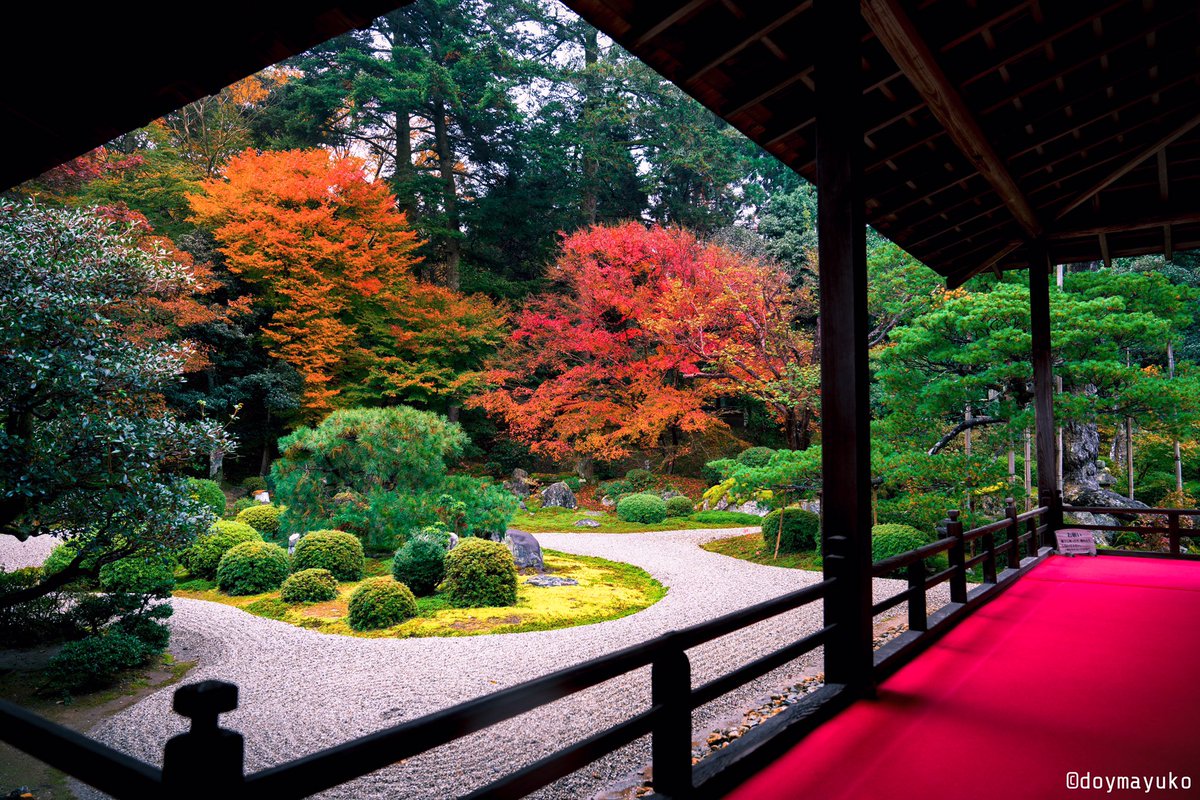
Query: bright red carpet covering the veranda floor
<point>1087,665</point>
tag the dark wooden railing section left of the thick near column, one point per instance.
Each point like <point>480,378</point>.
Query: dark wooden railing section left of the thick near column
<point>207,762</point>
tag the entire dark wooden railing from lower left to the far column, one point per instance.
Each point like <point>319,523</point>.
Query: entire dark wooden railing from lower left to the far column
<point>208,761</point>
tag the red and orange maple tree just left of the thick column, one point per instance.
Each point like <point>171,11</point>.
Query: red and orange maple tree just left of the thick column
<point>651,327</point>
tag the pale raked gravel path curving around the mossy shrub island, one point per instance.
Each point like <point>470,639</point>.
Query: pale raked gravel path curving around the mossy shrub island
<point>302,691</point>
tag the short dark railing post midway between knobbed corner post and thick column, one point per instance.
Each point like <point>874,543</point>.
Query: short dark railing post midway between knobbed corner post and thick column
<point>671,738</point>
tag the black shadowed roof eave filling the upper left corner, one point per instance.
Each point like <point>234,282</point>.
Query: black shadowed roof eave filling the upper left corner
<point>76,79</point>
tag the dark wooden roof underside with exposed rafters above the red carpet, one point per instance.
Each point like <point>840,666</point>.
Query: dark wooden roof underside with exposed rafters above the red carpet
<point>994,128</point>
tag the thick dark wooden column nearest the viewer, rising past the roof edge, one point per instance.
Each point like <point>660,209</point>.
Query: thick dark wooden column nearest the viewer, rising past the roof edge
<point>845,414</point>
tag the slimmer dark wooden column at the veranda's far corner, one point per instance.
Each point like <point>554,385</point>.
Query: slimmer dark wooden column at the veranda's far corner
<point>1043,386</point>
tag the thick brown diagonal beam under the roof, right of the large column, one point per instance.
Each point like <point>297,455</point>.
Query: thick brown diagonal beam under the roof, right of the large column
<point>901,38</point>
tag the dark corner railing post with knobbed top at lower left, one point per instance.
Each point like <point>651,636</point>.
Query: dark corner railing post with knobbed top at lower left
<point>206,762</point>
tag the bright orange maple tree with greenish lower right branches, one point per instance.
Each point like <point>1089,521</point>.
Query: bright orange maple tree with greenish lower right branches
<point>332,258</point>
